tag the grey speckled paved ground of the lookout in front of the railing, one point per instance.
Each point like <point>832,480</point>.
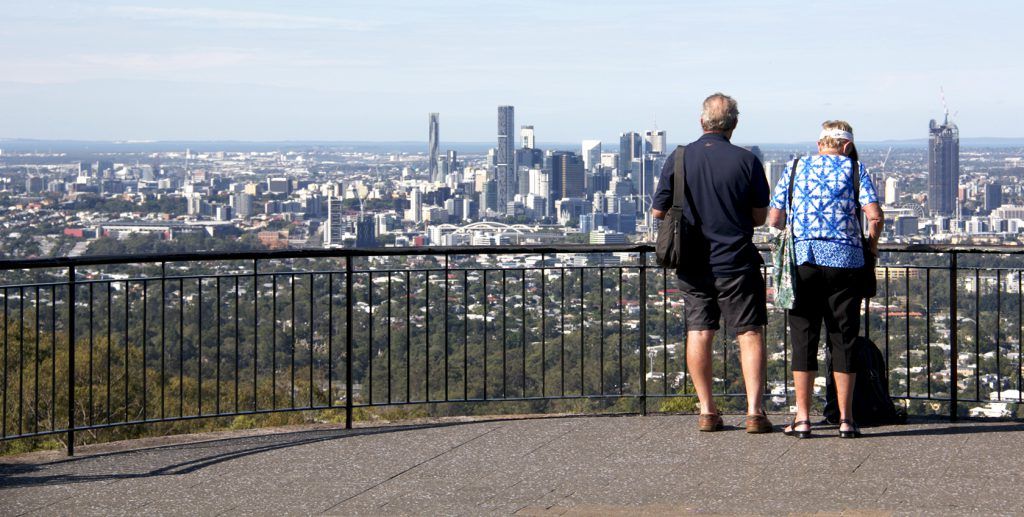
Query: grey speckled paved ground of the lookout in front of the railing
<point>657,465</point>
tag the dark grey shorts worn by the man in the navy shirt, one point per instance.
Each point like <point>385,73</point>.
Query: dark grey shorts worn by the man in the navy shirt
<point>741,299</point>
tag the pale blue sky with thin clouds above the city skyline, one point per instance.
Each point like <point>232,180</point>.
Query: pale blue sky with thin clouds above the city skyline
<point>576,70</point>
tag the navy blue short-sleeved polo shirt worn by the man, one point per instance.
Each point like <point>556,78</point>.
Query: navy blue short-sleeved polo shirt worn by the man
<point>727,183</point>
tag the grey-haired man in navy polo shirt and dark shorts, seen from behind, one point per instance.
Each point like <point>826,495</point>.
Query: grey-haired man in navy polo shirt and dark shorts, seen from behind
<point>730,195</point>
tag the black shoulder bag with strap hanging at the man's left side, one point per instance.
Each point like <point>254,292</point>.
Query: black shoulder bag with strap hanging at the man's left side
<point>681,245</point>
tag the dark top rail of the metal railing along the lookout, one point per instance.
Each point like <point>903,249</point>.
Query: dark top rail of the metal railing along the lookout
<point>63,263</point>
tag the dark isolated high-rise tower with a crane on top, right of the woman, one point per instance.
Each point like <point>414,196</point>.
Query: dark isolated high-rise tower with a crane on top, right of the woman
<point>944,167</point>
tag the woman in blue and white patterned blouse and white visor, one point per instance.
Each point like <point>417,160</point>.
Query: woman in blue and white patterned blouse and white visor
<point>828,246</point>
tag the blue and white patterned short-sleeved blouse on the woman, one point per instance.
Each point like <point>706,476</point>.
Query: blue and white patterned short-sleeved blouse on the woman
<point>825,226</point>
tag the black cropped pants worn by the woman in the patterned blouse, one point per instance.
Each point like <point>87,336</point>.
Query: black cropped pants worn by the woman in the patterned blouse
<point>828,294</point>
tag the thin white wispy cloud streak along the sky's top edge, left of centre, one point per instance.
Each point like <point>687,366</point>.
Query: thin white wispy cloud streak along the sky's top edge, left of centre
<point>231,19</point>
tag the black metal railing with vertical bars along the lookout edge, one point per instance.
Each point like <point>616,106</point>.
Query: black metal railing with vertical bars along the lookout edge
<point>96,343</point>
